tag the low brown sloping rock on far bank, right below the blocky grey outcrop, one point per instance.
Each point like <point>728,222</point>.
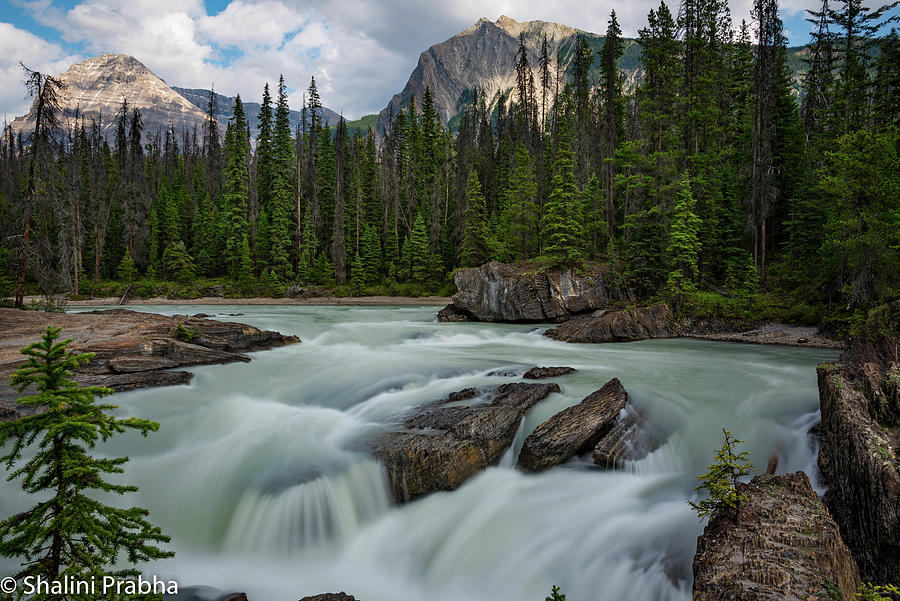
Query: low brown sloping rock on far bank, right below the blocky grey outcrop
<point>619,326</point>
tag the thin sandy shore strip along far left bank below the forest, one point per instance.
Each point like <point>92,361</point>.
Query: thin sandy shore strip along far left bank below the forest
<point>409,301</point>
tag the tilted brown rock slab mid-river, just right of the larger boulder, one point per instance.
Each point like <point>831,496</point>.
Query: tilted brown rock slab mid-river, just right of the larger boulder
<point>574,430</point>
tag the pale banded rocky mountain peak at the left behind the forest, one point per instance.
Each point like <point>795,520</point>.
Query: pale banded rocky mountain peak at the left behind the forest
<point>96,86</point>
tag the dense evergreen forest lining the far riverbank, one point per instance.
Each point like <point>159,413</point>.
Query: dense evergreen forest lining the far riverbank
<point>713,175</point>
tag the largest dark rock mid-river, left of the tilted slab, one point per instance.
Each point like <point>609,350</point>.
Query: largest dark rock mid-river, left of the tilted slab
<point>442,445</point>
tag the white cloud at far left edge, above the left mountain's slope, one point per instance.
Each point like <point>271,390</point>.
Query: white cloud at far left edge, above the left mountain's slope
<point>19,45</point>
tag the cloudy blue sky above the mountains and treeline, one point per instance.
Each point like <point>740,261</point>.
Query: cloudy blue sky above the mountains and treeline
<point>360,51</point>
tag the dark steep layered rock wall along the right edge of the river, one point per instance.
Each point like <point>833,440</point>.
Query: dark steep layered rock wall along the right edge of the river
<point>860,429</point>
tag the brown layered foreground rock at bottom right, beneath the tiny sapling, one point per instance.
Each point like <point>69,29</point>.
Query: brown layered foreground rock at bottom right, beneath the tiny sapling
<point>785,546</point>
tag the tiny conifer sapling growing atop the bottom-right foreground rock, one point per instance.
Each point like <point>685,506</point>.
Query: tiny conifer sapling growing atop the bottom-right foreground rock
<point>720,482</point>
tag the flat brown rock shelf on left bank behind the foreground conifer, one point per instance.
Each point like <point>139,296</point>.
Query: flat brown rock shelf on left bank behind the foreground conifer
<point>131,349</point>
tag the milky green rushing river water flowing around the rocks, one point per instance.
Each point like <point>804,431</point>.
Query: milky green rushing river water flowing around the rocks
<point>260,471</point>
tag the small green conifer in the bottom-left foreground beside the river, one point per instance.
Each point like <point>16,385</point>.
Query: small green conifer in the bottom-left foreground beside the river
<point>69,534</point>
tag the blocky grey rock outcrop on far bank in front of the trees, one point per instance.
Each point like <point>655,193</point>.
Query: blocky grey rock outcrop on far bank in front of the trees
<point>506,293</point>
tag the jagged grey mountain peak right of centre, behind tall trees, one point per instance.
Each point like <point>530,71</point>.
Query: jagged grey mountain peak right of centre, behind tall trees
<point>483,57</point>
